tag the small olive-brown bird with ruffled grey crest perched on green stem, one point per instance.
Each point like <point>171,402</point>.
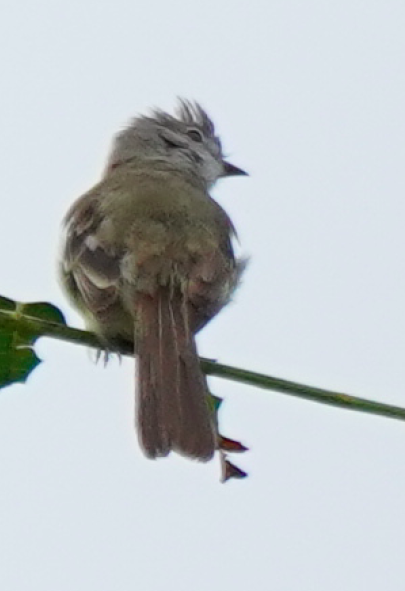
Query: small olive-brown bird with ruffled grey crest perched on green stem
<point>148,259</point>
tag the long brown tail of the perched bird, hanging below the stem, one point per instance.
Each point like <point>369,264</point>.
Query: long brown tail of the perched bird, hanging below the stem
<point>172,402</point>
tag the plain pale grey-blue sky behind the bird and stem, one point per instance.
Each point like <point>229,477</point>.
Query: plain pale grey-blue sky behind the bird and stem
<point>309,98</point>
